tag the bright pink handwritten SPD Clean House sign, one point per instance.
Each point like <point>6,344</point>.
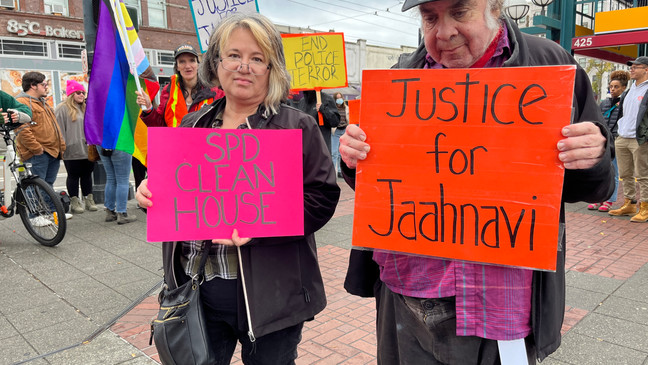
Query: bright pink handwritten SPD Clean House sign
<point>206,182</point>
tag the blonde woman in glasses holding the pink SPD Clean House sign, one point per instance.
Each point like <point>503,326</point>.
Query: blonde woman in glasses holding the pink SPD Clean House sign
<point>258,291</point>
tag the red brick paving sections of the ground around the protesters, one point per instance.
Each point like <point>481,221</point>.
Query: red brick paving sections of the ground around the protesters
<point>344,332</point>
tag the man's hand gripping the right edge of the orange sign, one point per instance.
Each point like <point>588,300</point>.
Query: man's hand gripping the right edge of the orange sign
<point>584,146</point>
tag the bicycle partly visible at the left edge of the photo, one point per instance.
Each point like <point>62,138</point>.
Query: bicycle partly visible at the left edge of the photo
<point>40,208</point>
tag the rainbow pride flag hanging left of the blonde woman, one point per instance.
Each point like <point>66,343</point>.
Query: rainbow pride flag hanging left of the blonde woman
<point>112,118</point>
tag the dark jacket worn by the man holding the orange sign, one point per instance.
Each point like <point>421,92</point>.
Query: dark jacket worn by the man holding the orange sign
<point>591,185</point>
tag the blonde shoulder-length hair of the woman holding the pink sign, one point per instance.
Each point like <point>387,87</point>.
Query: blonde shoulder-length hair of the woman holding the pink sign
<point>269,40</point>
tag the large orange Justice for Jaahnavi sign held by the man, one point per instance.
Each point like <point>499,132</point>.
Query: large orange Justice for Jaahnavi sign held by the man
<point>464,163</point>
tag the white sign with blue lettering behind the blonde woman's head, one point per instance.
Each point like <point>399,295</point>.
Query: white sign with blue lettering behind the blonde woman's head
<point>208,13</point>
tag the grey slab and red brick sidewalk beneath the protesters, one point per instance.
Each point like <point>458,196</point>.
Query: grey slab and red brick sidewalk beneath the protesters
<point>52,299</point>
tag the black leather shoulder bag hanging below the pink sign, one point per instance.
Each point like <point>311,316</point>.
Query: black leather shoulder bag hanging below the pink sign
<point>180,332</point>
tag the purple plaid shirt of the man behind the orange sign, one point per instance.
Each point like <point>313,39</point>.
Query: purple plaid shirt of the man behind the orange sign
<point>493,302</point>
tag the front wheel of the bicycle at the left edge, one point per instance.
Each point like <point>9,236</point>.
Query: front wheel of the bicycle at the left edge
<point>41,211</point>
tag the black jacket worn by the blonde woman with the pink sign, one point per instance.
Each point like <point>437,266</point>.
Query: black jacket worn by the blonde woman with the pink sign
<point>282,275</point>
